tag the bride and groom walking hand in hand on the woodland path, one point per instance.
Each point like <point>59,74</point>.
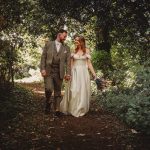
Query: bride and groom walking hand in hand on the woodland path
<point>58,63</point>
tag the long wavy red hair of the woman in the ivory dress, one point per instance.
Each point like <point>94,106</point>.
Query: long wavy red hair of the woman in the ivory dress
<point>82,42</point>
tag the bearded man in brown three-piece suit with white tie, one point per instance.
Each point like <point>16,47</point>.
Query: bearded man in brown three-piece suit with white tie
<point>55,64</point>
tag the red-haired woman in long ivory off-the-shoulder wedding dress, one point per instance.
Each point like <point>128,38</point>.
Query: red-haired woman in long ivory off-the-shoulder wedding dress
<point>76,99</point>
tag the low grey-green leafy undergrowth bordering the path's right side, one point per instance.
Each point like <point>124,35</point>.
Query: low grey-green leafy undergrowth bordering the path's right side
<point>131,103</point>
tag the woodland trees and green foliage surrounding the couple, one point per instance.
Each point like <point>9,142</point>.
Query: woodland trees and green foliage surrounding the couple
<point>121,25</point>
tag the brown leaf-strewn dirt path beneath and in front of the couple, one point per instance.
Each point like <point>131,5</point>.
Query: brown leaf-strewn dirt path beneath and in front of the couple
<point>97,130</point>
